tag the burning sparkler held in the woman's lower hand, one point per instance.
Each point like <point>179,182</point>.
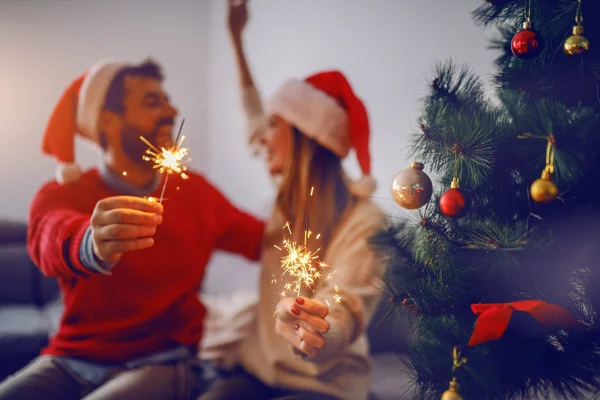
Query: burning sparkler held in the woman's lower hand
<point>302,264</point>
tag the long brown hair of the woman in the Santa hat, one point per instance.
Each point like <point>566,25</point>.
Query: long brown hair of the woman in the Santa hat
<point>313,168</point>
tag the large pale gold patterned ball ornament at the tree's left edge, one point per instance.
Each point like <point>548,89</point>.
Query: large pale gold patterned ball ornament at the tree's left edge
<point>411,187</point>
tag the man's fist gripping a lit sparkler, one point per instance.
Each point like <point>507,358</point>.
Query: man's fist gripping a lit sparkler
<point>123,223</point>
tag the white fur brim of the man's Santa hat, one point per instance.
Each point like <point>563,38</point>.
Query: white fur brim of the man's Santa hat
<point>92,96</point>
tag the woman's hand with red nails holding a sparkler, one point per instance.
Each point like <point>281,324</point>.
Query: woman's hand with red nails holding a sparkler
<point>301,321</point>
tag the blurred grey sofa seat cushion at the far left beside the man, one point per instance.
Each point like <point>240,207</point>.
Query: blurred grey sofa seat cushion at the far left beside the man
<point>23,330</point>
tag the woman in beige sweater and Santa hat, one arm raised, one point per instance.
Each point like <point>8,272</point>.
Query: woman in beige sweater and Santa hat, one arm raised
<point>314,347</point>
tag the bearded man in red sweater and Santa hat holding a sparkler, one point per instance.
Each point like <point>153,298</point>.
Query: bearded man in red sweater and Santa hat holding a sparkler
<point>128,268</point>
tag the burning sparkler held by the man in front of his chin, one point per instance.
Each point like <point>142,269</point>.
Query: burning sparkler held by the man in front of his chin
<point>168,160</point>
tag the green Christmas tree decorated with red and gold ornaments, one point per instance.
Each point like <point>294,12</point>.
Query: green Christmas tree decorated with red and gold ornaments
<point>502,258</point>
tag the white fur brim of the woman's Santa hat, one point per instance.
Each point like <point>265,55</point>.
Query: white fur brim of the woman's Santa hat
<point>314,113</point>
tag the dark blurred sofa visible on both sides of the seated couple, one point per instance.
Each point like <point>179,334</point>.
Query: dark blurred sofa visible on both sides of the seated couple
<point>30,309</point>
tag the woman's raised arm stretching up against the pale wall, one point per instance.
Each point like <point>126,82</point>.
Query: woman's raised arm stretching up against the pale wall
<point>256,120</point>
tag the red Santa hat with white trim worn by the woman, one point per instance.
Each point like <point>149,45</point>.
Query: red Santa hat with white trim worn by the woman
<point>325,108</point>
